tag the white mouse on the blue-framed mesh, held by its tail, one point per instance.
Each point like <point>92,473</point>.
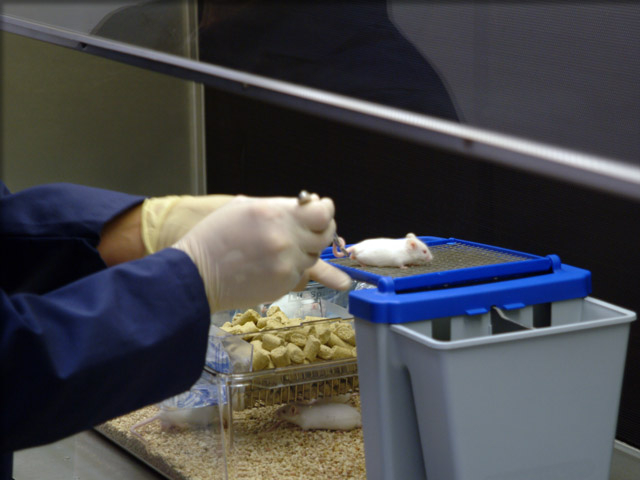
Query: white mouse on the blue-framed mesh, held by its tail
<point>389,252</point>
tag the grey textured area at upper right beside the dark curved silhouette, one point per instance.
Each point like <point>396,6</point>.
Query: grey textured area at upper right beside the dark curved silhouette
<point>563,73</point>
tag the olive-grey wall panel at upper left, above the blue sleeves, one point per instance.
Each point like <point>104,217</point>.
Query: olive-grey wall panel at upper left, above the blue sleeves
<point>72,117</point>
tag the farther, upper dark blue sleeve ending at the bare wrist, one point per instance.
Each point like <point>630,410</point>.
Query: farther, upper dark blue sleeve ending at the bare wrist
<point>49,234</point>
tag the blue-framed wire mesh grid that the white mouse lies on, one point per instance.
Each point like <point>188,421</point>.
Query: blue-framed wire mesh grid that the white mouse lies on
<point>454,262</point>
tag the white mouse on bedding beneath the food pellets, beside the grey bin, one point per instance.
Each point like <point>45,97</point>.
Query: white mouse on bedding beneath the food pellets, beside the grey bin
<point>321,416</point>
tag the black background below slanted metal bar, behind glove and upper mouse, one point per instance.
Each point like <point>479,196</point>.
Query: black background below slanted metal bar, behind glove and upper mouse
<point>384,186</point>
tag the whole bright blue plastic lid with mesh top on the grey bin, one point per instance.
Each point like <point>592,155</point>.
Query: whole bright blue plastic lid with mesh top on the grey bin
<point>464,278</point>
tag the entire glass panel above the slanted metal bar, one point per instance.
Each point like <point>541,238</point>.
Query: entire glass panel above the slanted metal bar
<point>558,72</point>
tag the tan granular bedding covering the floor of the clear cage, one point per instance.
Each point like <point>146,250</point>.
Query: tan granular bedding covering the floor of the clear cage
<point>260,451</point>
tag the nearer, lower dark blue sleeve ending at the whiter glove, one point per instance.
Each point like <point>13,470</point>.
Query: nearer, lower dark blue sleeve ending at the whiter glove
<point>100,347</point>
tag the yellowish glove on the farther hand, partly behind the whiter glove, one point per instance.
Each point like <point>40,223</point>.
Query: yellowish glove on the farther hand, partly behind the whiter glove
<point>165,220</point>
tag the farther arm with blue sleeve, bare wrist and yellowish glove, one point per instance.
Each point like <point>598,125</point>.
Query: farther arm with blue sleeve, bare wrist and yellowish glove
<point>73,230</point>
